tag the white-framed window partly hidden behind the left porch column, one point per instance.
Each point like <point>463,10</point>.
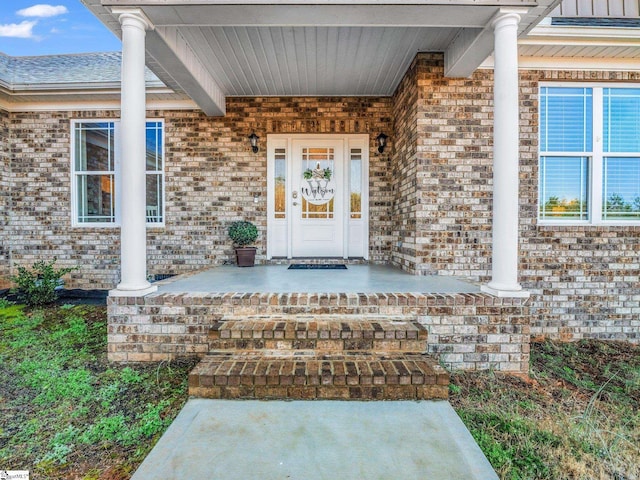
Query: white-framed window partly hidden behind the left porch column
<point>96,172</point>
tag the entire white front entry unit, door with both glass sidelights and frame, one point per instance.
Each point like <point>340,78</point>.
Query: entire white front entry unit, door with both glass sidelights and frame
<point>317,196</point>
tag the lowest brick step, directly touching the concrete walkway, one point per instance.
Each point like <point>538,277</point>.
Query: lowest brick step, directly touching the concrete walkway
<point>350,376</point>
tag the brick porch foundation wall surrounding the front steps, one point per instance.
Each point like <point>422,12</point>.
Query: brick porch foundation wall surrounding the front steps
<point>466,331</point>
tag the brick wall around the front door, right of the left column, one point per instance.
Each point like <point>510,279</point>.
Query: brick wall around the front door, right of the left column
<point>213,177</point>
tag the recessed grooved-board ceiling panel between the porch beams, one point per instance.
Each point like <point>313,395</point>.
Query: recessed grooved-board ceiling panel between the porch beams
<point>311,61</point>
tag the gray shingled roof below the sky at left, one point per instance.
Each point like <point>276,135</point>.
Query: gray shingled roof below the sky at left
<point>84,68</point>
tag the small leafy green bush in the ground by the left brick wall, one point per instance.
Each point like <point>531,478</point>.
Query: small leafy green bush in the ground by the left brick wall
<point>37,285</point>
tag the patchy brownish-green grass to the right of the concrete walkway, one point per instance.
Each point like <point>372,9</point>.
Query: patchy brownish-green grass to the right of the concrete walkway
<point>577,417</point>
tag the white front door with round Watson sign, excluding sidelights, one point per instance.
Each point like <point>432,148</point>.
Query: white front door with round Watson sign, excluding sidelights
<point>317,198</point>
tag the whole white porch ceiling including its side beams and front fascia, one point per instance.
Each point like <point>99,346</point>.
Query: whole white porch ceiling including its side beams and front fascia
<point>217,48</point>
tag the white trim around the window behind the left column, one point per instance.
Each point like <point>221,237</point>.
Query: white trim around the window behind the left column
<point>117,174</point>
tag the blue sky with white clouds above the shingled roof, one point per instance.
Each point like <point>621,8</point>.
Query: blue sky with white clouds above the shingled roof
<point>44,28</point>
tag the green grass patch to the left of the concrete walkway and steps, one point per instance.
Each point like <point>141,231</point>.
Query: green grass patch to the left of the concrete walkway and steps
<point>65,412</point>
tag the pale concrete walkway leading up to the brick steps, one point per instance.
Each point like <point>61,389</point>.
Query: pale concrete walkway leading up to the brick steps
<point>313,440</point>
